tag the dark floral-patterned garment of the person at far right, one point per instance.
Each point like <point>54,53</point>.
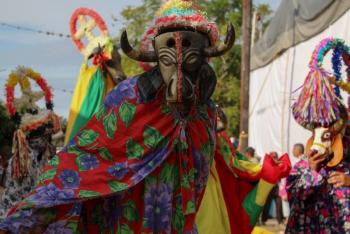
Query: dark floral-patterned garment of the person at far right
<point>316,206</point>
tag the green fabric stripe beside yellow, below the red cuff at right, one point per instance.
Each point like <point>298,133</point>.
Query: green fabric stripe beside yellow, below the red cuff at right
<point>253,210</point>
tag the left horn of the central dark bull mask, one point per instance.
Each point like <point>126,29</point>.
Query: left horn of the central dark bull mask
<point>147,56</point>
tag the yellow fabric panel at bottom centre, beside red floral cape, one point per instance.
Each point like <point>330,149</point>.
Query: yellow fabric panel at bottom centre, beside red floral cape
<point>212,216</point>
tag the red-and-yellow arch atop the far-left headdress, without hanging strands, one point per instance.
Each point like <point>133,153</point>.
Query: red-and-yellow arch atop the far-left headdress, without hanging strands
<point>22,76</point>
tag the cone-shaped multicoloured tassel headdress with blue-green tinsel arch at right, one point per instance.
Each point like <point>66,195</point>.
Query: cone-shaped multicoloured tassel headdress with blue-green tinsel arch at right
<point>319,104</point>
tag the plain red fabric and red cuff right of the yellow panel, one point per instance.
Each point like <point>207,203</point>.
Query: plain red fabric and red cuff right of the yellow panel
<point>237,184</point>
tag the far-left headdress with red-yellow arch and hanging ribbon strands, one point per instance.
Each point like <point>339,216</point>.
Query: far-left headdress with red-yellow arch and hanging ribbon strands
<point>30,116</point>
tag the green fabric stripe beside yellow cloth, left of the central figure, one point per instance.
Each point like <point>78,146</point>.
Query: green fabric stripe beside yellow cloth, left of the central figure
<point>92,100</point>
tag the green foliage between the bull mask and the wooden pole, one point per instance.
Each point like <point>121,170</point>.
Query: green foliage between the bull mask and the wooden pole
<point>227,67</point>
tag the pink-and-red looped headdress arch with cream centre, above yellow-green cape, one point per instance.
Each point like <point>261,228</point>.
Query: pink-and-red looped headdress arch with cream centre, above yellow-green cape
<point>83,22</point>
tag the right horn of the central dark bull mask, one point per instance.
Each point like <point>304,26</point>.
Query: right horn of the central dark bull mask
<point>221,48</point>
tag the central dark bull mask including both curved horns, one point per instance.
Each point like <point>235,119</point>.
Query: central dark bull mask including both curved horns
<point>182,60</point>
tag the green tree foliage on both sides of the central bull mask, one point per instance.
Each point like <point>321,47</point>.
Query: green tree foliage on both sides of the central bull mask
<point>227,67</point>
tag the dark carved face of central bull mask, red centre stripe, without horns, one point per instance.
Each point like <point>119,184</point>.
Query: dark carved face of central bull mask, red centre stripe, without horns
<point>179,59</point>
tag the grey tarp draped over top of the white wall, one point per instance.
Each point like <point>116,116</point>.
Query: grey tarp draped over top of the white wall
<point>295,21</point>
